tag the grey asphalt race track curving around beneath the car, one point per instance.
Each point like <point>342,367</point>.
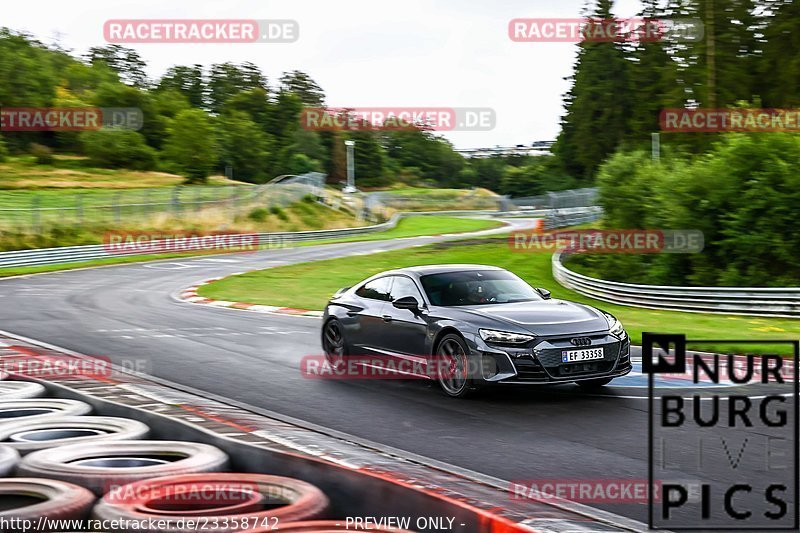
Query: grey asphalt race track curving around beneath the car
<point>129,313</point>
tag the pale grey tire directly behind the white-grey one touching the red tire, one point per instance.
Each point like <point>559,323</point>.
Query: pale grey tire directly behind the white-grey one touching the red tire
<point>28,437</point>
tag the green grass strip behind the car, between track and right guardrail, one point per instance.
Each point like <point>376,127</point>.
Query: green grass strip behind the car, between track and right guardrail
<point>309,286</point>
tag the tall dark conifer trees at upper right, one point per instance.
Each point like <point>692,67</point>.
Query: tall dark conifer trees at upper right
<point>749,54</point>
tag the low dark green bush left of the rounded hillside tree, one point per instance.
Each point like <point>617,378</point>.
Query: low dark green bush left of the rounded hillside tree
<point>118,148</point>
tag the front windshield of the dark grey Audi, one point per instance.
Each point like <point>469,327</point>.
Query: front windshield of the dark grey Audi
<point>477,287</point>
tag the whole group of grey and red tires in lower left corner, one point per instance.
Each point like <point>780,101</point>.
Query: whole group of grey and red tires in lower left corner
<point>70,464</point>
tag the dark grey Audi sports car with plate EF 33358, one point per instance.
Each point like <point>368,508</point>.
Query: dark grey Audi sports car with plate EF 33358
<point>476,326</point>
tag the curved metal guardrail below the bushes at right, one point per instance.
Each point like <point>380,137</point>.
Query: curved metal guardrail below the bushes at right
<point>774,302</point>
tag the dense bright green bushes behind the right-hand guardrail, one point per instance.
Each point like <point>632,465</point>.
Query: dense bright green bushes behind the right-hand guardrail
<point>742,196</point>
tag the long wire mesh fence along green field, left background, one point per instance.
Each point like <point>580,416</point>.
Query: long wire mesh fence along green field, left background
<point>34,212</point>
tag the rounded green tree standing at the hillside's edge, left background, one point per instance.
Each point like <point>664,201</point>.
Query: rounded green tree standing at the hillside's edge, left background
<point>190,148</point>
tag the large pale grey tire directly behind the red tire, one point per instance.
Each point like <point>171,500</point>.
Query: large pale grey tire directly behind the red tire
<point>103,466</point>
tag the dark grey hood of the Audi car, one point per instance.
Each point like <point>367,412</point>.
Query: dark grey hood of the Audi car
<point>547,317</point>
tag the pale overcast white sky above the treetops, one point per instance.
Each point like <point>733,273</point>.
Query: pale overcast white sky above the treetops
<point>373,53</point>
